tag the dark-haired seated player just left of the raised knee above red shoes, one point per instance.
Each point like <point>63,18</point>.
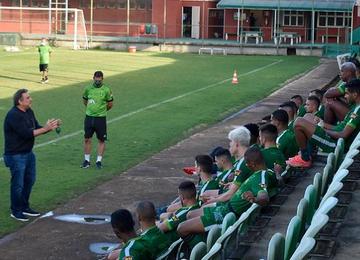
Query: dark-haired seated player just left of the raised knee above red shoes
<point>285,141</point>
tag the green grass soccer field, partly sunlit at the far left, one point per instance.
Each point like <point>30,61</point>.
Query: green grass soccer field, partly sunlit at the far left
<point>158,100</point>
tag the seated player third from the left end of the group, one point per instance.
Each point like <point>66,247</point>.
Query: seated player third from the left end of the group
<point>187,195</point>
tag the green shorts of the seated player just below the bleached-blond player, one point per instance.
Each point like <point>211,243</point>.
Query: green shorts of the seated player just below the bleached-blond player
<point>214,215</point>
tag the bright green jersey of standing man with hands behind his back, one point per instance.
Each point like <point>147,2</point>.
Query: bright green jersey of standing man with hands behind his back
<point>97,99</point>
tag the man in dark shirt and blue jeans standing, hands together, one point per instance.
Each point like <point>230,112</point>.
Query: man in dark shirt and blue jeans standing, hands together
<point>20,130</point>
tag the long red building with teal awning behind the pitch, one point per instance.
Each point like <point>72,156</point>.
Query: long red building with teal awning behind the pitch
<point>250,21</point>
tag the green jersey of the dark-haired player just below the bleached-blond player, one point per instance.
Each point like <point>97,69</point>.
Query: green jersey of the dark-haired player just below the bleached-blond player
<point>258,181</point>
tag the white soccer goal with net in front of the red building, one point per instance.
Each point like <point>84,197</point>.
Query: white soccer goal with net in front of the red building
<point>66,24</point>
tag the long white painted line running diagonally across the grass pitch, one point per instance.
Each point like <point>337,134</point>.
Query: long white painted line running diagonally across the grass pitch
<point>157,104</point>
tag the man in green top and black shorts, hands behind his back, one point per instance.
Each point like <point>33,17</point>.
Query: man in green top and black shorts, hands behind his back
<point>98,99</point>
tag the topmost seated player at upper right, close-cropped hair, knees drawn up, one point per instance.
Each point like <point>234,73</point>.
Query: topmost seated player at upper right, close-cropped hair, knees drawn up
<point>335,107</point>
